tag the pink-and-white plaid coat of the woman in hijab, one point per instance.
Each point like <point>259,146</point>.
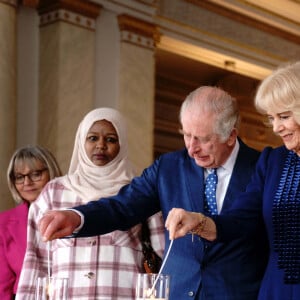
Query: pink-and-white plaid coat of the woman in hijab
<point>98,268</point>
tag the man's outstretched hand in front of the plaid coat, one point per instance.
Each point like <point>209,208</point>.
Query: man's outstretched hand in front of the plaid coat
<point>58,223</point>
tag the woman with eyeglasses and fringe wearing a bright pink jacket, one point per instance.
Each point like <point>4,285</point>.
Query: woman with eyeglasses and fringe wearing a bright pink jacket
<point>29,170</point>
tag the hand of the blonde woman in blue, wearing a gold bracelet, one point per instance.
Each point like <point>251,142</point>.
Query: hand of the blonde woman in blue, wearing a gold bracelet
<point>180,222</point>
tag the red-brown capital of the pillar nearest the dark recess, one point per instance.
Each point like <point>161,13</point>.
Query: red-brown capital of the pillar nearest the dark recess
<point>139,32</point>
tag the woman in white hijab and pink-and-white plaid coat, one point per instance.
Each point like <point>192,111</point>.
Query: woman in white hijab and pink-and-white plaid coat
<point>100,267</point>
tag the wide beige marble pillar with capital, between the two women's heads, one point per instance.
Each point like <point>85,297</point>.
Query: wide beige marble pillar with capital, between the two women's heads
<point>67,50</point>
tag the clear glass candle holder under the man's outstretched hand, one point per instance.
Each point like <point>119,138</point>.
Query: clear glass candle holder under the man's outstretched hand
<point>51,288</point>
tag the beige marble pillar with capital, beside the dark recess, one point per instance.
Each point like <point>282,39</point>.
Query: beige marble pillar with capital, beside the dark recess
<point>137,86</point>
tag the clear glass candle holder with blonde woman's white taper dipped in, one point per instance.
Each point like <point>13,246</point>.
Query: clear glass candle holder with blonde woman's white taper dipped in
<point>148,286</point>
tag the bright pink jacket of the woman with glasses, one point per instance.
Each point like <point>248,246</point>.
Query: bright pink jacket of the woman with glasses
<point>13,232</point>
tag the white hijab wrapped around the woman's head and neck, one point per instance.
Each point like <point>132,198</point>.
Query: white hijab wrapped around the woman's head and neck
<point>88,181</point>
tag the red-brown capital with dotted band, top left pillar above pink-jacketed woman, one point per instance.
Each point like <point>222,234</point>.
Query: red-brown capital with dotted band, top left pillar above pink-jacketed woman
<point>78,12</point>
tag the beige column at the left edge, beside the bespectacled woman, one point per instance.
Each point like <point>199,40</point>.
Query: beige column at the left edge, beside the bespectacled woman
<point>7,94</point>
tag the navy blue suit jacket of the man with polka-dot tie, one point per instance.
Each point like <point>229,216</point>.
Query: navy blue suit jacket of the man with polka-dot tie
<point>199,269</point>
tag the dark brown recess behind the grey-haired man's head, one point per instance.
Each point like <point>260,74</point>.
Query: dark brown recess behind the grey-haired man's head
<point>177,76</point>
